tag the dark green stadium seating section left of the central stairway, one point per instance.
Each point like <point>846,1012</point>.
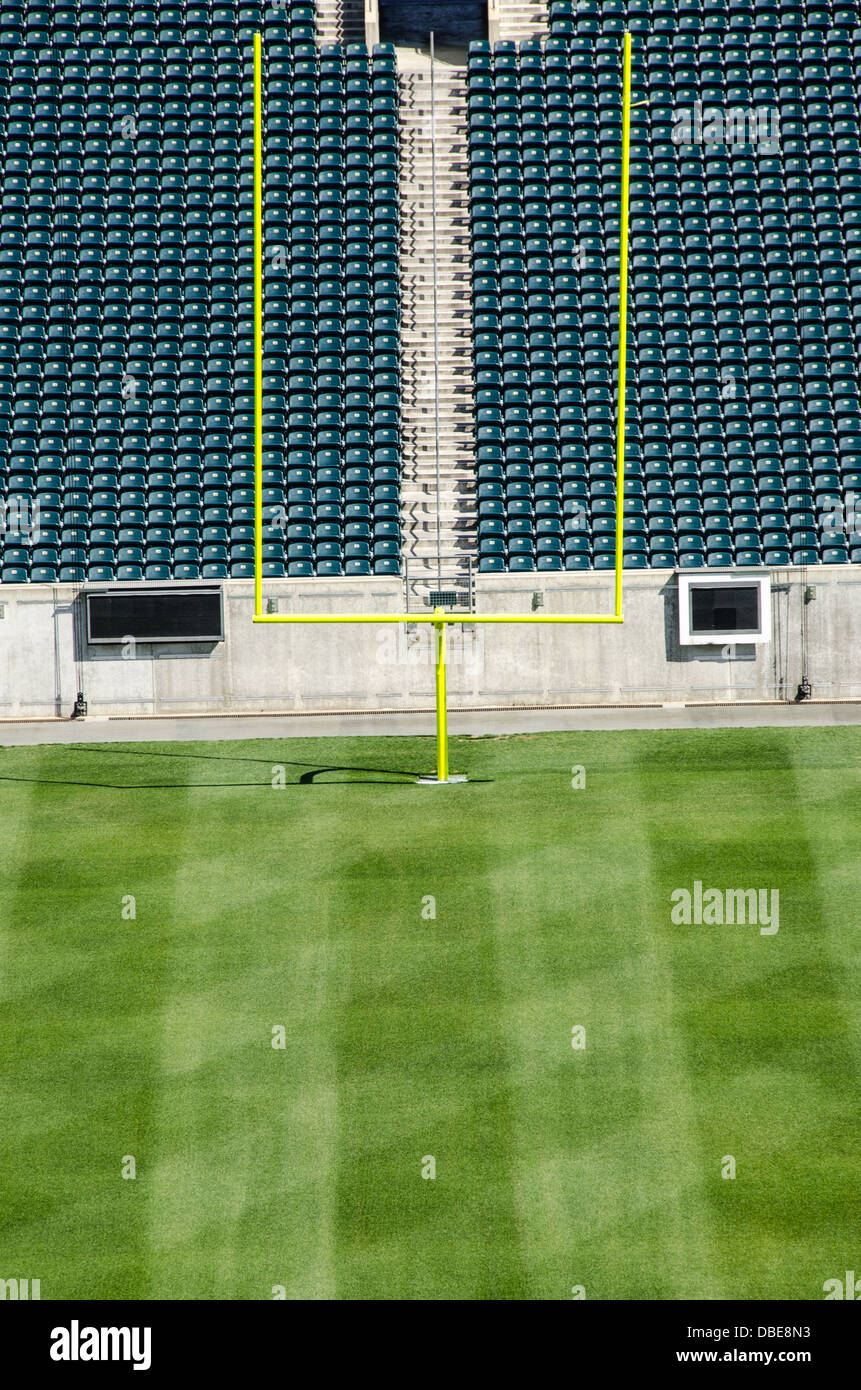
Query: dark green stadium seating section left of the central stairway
<point>127,302</point>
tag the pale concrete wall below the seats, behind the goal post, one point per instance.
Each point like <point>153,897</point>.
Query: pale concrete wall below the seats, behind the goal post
<point>45,658</point>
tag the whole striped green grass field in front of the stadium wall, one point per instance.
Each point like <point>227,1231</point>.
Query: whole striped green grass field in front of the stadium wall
<point>412,1036</point>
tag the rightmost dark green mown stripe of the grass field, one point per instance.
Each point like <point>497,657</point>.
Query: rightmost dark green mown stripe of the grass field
<point>762,1018</point>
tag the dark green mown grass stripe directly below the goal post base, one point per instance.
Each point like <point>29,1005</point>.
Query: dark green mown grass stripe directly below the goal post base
<point>421,1057</point>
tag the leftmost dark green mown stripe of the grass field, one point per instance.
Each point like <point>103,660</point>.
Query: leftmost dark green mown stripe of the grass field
<point>83,1022</point>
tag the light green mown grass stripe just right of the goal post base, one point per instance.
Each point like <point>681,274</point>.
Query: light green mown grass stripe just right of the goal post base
<point>603,1135</point>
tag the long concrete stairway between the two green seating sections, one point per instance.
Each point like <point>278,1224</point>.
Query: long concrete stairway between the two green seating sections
<point>458,532</point>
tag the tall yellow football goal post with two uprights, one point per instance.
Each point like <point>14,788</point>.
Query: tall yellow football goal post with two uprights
<point>440,618</point>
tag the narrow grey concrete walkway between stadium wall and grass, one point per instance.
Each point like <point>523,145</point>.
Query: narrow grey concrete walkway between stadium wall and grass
<point>475,722</point>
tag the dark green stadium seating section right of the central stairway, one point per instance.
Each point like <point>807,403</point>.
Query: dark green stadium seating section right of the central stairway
<point>743,412</point>
